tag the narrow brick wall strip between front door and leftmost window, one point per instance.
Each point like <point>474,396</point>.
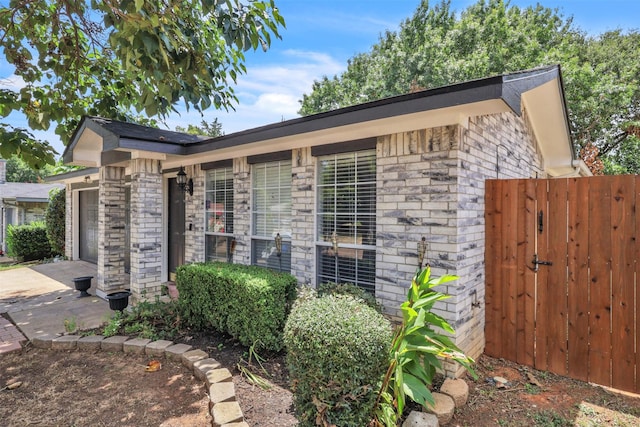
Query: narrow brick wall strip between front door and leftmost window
<point>194,217</point>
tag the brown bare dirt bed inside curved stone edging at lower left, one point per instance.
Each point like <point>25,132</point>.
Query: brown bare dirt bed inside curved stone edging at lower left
<point>98,389</point>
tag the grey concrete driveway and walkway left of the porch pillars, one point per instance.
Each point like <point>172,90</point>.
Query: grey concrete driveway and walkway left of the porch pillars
<point>39,299</point>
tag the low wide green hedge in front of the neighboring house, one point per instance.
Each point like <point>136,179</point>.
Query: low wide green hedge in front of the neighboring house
<point>28,242</point>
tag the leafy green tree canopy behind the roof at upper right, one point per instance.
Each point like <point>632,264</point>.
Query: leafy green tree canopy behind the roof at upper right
<point>437,47</point>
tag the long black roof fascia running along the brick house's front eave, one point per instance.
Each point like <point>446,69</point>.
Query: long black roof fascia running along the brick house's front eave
<point>508,88</point>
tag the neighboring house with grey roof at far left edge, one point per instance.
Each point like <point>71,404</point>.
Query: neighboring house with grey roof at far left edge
<point>20,203</point>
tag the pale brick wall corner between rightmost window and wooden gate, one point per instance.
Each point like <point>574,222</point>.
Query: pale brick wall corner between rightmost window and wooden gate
<point>431,184</point>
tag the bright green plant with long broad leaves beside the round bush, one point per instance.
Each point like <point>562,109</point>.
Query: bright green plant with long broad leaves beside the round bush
<point>416,350</point>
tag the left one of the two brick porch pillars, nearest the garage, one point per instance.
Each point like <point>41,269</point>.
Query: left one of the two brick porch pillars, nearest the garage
<point>111,232</point>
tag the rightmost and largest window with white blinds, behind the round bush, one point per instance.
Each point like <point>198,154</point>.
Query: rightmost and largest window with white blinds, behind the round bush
<point>346,219</point>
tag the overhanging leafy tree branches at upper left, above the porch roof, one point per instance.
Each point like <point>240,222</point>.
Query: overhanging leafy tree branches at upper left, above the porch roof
<point>118,57</point>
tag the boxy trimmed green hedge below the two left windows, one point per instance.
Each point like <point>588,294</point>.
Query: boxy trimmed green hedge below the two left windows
<point>249,303</point>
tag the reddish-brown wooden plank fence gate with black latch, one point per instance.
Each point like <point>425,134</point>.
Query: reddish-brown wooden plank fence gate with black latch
<point>562,273</point>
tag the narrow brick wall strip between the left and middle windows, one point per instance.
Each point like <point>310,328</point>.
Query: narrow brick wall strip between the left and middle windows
<point>242,210</point>
